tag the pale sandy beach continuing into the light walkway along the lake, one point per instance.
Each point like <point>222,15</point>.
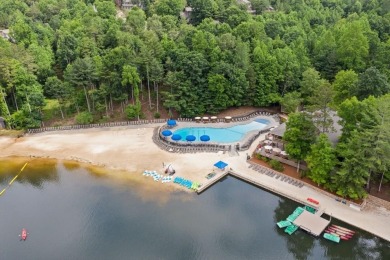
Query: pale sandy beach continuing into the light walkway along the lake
<point>132,149</point>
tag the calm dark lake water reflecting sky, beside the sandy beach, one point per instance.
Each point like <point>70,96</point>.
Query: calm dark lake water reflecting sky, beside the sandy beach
<point>76,213</point>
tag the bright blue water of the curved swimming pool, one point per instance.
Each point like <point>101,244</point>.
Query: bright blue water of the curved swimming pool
<point>223,135</point>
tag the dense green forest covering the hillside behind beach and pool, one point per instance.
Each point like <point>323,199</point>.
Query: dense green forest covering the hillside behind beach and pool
<point>85,61</point>
